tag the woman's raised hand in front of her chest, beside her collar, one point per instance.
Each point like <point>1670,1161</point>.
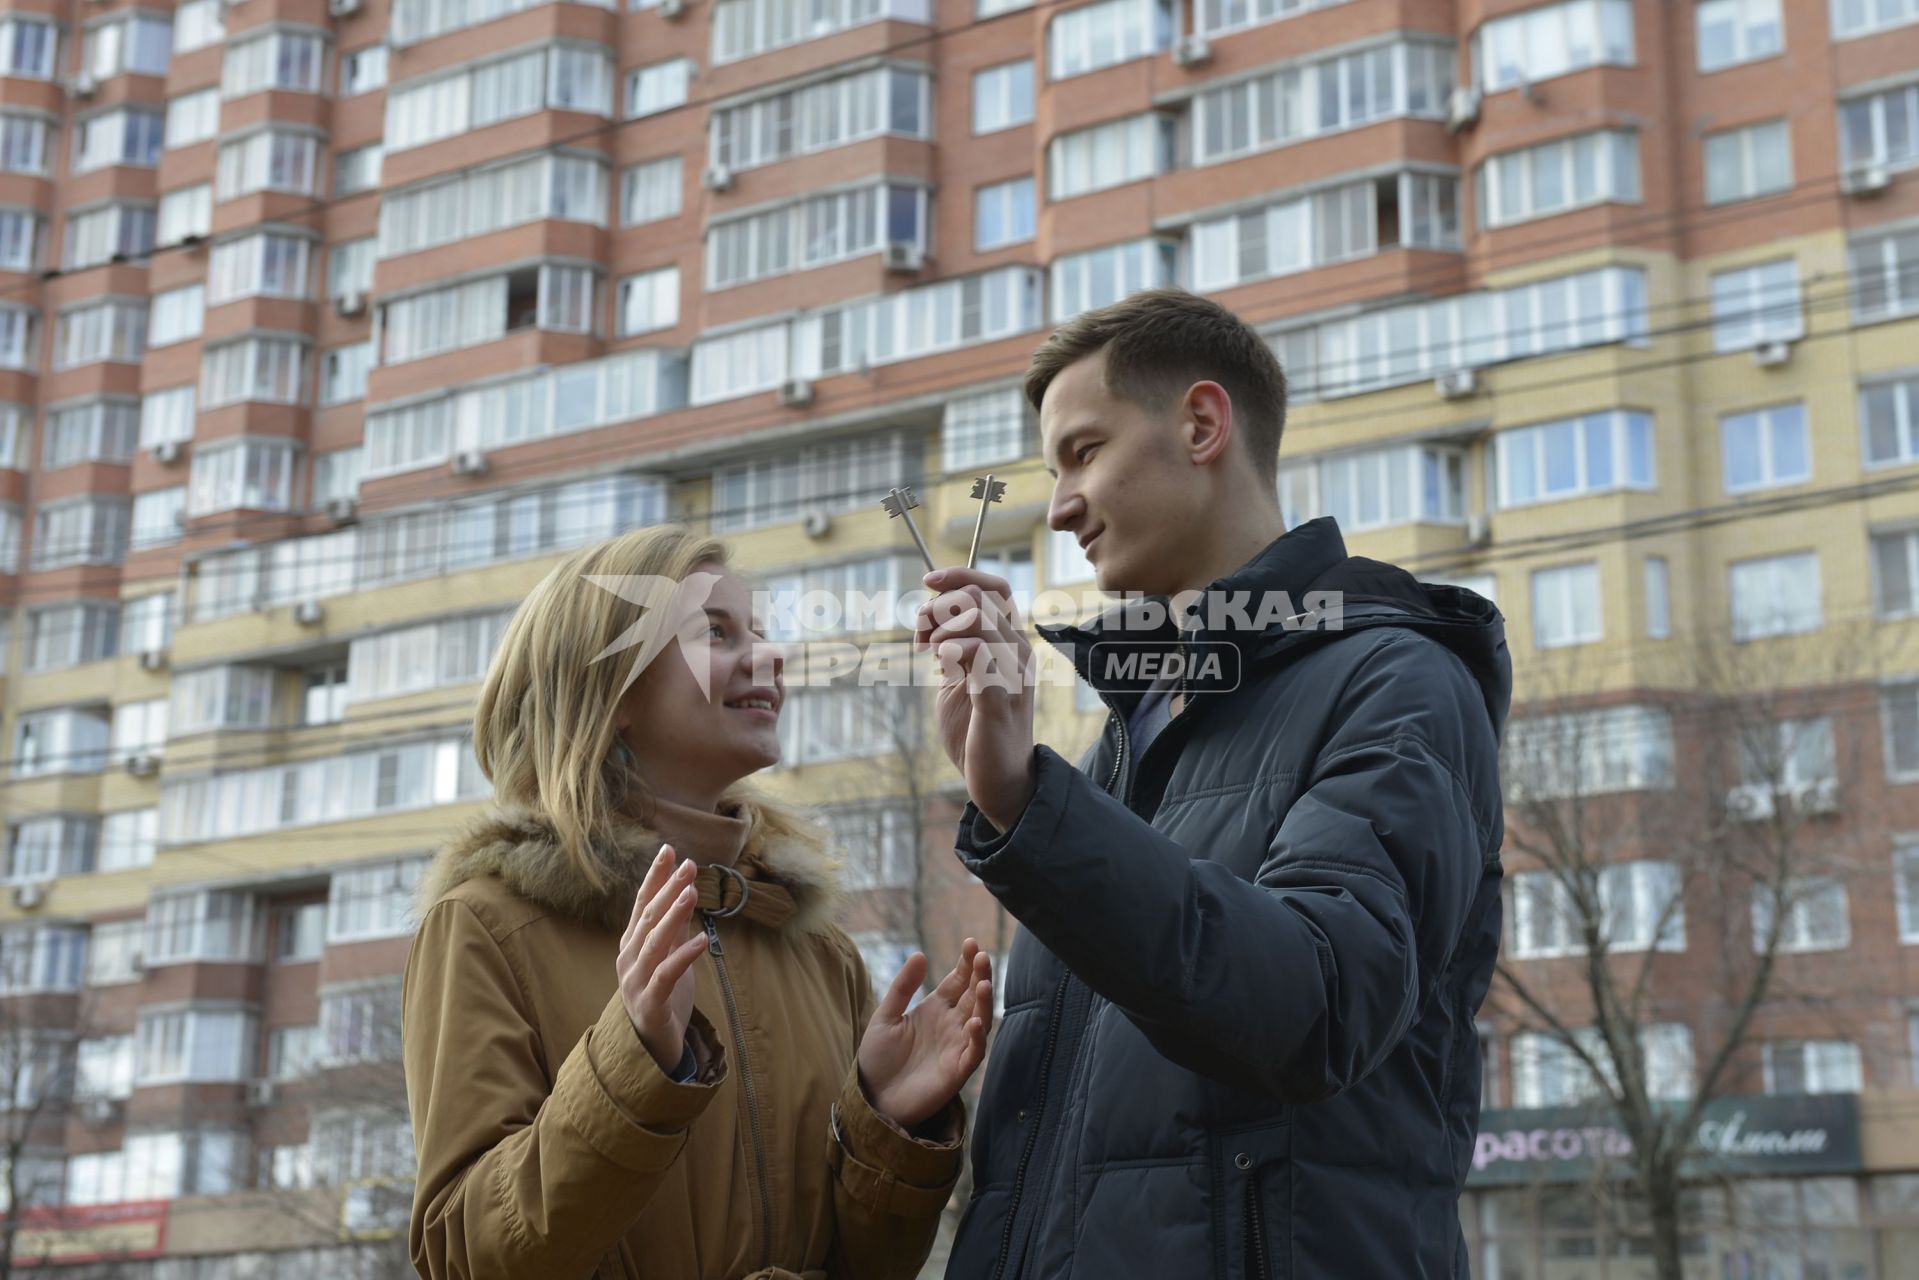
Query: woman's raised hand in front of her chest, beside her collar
<point>657,957</point>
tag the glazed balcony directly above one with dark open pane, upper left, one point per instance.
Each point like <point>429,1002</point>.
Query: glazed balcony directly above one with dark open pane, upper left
<point>483,201</point>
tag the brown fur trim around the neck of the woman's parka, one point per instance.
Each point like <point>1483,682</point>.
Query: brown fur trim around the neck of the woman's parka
<point>523,849</point>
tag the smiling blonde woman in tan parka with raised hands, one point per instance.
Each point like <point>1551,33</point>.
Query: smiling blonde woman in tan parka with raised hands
<point>636,1043</point>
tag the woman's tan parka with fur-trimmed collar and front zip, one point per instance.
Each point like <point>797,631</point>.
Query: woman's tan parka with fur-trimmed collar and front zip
<point>554,1147</point>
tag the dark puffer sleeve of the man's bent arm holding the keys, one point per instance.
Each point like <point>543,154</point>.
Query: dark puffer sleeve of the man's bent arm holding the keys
<point>1300,982</point>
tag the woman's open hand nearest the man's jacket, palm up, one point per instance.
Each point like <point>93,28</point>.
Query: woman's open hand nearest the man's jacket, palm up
<point>914,1062</point>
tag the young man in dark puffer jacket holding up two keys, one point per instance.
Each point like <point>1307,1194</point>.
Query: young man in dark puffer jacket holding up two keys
<point>1260,916</point>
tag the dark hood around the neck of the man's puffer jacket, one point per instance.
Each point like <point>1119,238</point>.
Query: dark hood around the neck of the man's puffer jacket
<point>1302,590</point>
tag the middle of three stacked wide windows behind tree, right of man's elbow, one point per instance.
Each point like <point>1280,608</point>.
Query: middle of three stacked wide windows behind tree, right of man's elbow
<point>1640,907</point>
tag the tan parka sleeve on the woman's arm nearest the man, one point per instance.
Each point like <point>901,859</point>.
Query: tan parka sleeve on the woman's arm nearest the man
<point>889,1187</point>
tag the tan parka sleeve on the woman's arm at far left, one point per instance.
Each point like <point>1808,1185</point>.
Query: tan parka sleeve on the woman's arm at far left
<point>517,1179</point>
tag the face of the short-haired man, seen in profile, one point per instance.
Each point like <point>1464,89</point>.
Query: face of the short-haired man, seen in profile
<point>1124,483</point>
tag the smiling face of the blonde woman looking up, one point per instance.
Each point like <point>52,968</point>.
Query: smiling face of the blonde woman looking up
<point>694,742</point>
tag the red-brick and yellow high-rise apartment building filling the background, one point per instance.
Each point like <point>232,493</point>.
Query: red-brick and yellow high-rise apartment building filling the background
<point>329,325</point>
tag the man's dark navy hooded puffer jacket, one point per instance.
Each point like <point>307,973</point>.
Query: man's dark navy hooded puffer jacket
<point>1239,1028</point>
